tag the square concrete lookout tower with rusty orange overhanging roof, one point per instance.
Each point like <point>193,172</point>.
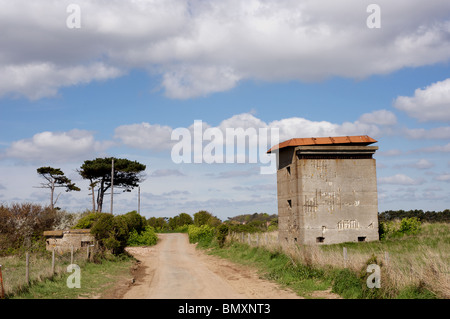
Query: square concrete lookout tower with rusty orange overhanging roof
<point>327,190</point>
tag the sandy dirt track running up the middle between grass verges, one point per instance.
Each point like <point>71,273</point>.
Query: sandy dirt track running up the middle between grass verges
<point>175,269</point>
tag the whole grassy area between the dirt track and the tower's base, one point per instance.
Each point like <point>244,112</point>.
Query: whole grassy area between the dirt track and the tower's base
<point>417,268</point>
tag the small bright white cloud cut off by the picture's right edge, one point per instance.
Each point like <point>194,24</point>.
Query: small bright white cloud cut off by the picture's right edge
<point>429,104</point>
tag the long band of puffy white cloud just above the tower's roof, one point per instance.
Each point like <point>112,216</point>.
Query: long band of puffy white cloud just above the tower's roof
<point>157,137</point>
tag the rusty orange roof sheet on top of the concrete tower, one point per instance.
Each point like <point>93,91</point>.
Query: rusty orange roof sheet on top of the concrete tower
<point>336,140</point>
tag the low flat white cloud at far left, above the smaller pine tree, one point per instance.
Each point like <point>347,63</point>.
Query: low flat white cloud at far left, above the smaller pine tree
<point>56,146</point>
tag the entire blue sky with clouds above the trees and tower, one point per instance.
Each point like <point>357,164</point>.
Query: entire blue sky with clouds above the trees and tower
<point>136,70</point>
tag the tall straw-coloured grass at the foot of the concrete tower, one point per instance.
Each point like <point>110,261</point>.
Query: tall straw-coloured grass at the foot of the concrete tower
<point>411,265</point>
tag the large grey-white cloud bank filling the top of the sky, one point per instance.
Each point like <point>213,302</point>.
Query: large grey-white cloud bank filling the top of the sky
<point>202,47</point>
